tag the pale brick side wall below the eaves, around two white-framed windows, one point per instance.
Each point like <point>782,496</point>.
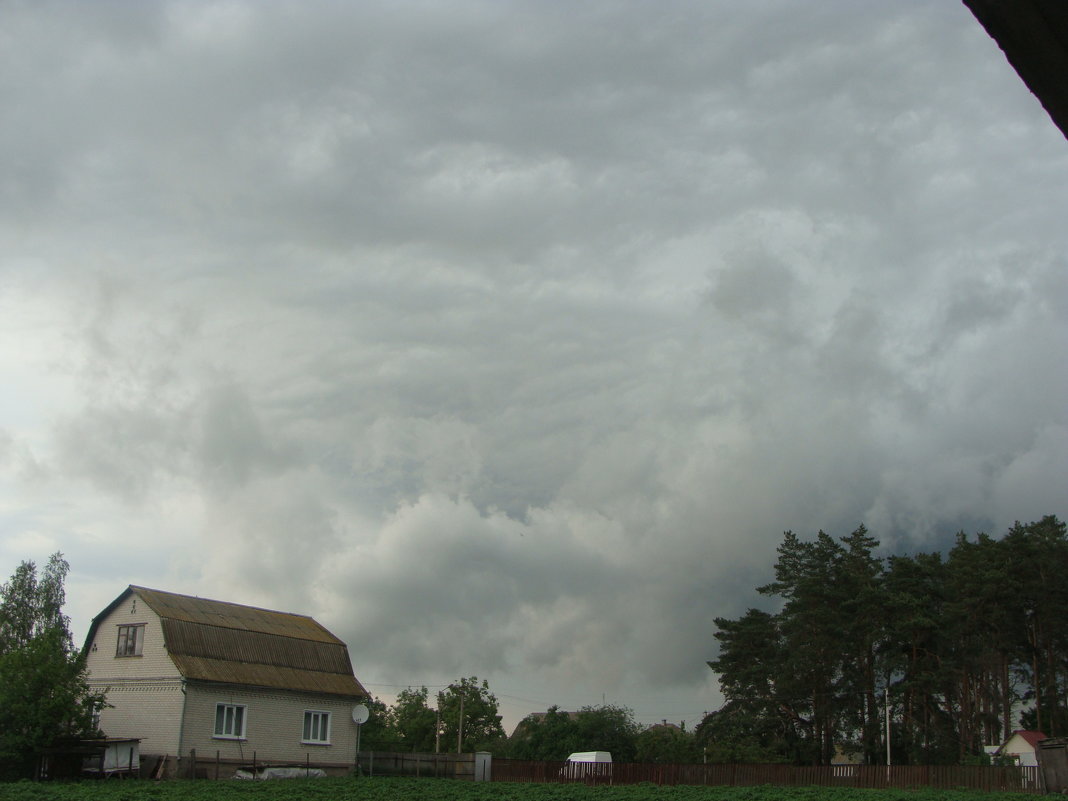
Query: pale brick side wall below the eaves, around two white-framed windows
<point>274,726</point>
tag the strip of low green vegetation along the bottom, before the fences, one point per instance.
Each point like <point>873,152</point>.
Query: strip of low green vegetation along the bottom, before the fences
<point>432,790</point>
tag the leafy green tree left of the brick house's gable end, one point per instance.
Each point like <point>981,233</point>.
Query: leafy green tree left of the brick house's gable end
<point>44,694</point>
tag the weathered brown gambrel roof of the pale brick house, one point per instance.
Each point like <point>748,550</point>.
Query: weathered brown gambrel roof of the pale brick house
<point>217,641</point>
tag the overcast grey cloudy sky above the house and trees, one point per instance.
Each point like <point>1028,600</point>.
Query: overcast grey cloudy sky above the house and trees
<point>507,339</point>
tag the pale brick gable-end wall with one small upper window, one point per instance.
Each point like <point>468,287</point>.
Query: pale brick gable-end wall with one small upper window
<point>145,692</point>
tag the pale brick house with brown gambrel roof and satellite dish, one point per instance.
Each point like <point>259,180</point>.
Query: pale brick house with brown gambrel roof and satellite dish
<point>231,684</point>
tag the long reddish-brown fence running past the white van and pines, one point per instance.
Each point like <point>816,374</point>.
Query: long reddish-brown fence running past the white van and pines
<point>900,777</point>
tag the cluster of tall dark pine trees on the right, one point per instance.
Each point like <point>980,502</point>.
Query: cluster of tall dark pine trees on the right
<point>960,649</point>
